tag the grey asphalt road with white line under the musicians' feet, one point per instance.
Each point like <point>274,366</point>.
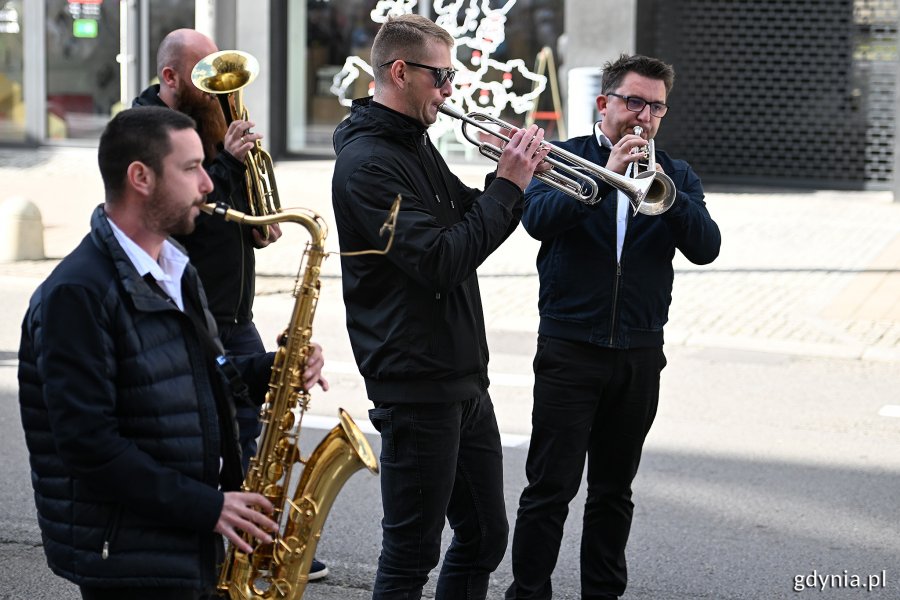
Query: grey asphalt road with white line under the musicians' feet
<point>760,469</point>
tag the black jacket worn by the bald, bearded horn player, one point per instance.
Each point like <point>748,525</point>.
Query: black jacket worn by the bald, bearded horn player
<point>221,251</point>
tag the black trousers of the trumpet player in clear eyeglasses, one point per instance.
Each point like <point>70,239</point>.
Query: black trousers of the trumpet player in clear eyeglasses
<point>588,401</point>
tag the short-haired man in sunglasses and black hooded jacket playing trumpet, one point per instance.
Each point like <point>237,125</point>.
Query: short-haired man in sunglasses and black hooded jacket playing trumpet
<point>415,318</point>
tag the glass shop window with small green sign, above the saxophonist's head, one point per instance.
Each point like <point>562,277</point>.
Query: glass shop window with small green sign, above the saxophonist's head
<point>83,75</point>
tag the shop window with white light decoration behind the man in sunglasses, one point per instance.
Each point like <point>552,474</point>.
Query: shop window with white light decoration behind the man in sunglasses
<point>323,34</point>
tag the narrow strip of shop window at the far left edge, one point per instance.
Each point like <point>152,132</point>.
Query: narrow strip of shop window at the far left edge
<point>12,103</point>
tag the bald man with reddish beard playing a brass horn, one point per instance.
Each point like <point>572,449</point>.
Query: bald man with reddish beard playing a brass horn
<point>223,252</point>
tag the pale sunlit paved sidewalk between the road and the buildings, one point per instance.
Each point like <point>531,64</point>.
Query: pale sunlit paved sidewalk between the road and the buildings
<point>812,273</point>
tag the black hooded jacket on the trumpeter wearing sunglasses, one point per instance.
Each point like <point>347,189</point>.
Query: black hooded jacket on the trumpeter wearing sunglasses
<point>414,316</point>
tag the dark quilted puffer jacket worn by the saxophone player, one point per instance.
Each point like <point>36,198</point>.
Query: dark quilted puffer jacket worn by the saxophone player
<point>122,424</point>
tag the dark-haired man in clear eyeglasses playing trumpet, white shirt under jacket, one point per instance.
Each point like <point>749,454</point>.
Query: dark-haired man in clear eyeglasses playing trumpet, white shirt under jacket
<point>605,288</point>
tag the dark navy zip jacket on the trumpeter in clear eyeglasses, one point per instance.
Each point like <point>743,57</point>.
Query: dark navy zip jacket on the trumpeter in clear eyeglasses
<point>585,294</point>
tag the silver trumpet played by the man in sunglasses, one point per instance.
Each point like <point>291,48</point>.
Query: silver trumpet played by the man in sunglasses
<point>570,174</point>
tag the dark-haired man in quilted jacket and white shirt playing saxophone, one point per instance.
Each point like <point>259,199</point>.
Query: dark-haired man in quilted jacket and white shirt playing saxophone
<point>129,426</point>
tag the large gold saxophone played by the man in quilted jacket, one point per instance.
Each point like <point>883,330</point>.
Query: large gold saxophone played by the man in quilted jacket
<point>280,570</point>
